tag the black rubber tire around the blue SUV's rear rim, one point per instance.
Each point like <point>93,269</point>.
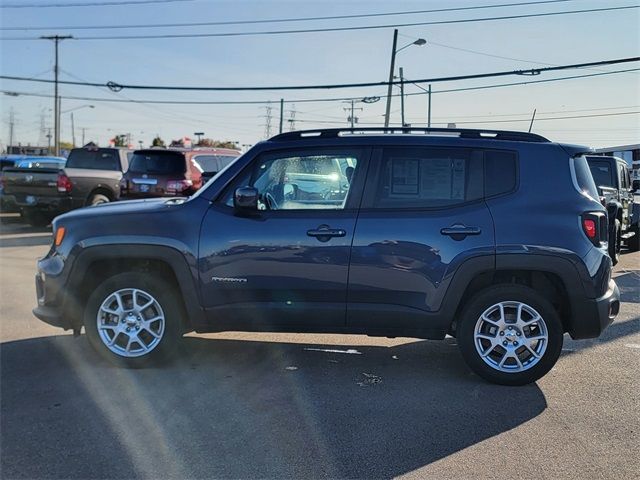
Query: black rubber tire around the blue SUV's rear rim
<point>491,296</point>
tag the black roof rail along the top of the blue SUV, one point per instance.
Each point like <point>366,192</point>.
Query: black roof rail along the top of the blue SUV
<point>461,133</point>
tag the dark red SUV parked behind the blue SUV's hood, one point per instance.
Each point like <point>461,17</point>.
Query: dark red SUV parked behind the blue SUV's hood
<point>170,172</point>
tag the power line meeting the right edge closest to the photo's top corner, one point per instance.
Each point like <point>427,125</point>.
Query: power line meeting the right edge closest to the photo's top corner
<point>339,29</point>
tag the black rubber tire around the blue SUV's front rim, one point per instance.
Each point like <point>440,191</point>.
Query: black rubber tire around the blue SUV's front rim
<point>166,298</point>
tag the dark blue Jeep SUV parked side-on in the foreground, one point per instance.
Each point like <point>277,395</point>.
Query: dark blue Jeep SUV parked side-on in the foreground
<point>496,238</point>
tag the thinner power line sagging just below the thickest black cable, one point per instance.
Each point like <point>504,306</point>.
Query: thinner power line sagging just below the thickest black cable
<point>306,100</point>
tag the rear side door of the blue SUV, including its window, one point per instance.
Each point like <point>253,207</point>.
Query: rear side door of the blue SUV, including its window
<point>403,258</point>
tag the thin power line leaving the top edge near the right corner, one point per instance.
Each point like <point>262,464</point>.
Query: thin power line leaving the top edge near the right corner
<point>285,20</point>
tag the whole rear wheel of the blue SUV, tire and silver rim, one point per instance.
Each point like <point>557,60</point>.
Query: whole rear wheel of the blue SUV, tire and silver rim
<point>510,334</point>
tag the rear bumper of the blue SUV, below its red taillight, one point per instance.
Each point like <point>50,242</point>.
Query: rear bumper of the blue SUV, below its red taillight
<point>592,316</point>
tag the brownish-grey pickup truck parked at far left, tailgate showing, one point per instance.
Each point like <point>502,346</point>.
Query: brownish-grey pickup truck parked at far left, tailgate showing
<point>90,176</point>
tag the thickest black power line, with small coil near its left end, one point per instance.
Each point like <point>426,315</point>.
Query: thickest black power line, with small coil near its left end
<point>116,87</point>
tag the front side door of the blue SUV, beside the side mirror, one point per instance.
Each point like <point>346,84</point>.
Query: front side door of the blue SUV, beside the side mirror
<point>276,269</point>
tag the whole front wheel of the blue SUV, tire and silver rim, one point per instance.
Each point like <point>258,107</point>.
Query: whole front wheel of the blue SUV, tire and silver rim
<point>133,319</point>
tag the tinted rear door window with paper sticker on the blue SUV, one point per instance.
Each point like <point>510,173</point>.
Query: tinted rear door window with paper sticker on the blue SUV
<point>428,177</point>
